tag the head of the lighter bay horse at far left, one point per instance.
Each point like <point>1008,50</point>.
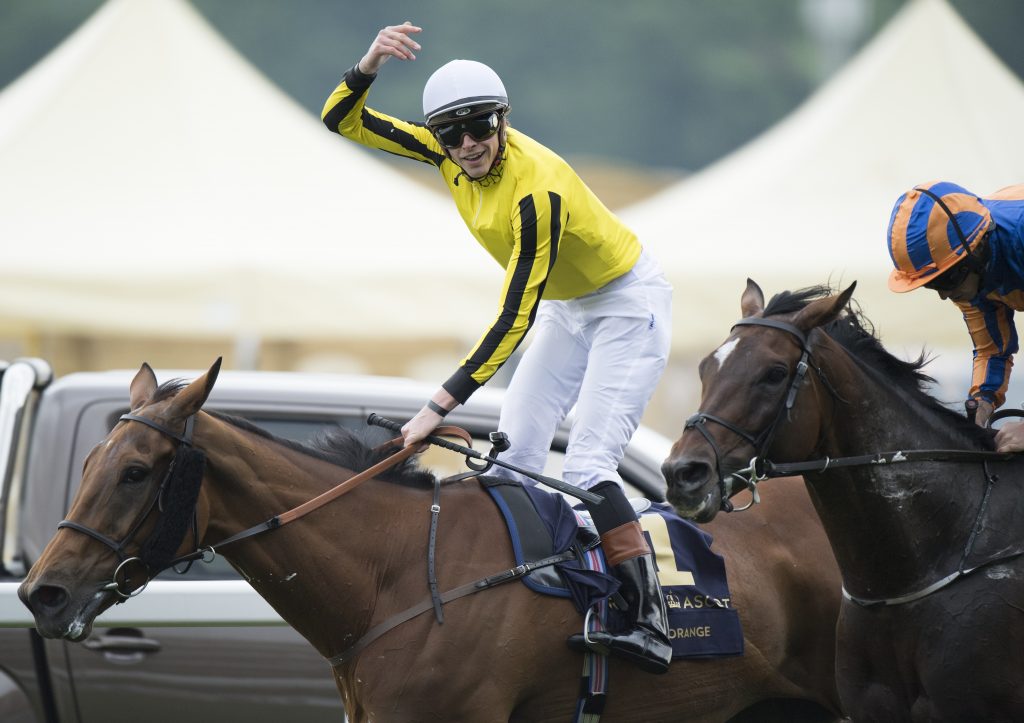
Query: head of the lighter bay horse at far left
<point>139,496</point>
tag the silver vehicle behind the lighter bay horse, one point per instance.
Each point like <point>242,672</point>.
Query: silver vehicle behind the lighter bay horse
<point>200,647</point>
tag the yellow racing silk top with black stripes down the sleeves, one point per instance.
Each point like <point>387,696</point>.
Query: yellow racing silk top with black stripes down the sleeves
<point>533,215</point>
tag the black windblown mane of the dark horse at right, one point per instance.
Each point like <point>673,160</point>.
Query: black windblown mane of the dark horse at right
<point>855,332</point>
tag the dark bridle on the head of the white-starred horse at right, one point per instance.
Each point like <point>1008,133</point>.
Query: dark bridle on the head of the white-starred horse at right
<point>761,443</point>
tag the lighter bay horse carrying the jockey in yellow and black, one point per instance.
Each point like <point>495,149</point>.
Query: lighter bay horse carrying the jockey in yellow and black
<point>347,567</point>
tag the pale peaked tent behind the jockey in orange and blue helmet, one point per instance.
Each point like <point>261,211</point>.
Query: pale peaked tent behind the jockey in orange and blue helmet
<point>808,201</point>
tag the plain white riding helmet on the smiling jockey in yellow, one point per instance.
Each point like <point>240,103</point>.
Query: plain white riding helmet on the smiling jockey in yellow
<point>461,90</point>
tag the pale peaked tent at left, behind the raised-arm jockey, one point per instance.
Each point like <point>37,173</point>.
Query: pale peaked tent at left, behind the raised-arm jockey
<point>153,183</point>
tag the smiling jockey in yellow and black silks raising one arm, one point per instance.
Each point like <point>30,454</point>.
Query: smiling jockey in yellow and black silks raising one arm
<point>599,302</point>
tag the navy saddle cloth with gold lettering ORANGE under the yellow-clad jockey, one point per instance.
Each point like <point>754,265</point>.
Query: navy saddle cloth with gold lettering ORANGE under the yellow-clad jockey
<point>703,622</point>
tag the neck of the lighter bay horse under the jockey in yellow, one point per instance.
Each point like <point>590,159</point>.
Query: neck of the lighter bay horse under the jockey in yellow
<point>324,572</point>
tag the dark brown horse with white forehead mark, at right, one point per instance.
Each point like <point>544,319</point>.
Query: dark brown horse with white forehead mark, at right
<point>925,521</point>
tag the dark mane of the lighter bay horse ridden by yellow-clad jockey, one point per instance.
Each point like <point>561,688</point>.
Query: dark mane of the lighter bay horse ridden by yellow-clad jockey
<point>339,446</point>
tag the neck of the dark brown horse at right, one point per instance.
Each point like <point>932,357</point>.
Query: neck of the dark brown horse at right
<point>888,526</point>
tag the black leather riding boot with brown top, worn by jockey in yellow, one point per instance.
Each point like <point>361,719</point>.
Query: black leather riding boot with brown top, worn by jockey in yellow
<point>646,642</point>
